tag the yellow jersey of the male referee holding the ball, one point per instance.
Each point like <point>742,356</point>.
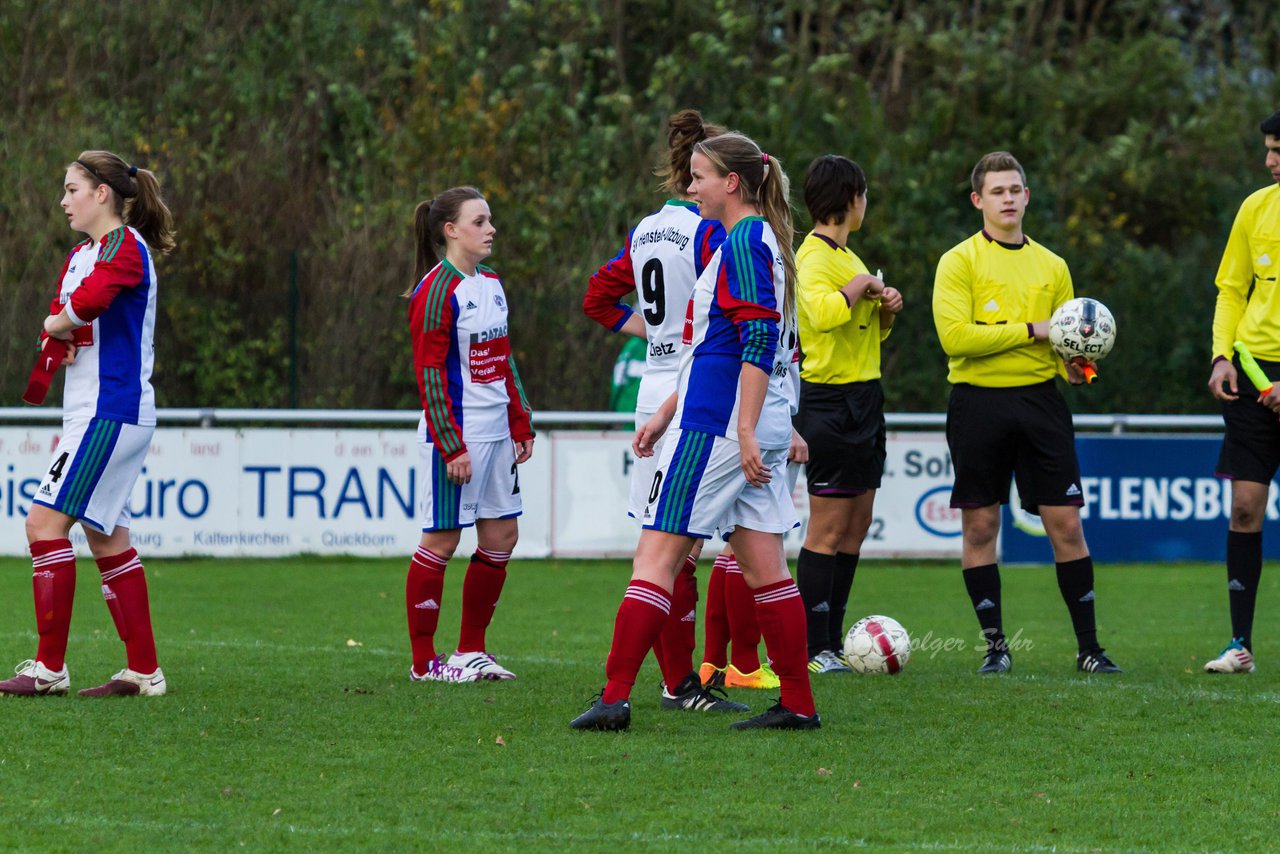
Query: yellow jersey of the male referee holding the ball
<point>985,295</point>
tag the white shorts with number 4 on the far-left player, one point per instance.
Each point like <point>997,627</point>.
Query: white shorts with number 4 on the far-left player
<point>94,469</point>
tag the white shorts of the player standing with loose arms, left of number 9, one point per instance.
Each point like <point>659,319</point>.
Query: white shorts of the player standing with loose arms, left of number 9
<point>492,494</point>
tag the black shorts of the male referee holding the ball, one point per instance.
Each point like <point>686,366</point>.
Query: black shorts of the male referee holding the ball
<point>1025,433</point>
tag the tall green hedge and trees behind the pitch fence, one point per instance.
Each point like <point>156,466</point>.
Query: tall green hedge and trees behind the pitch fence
<point>312,130</point>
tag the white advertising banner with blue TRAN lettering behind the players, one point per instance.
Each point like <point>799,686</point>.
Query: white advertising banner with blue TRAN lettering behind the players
<point>273,492</point>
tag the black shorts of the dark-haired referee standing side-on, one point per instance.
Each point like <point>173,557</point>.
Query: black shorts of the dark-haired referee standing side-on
<point>844,424</point>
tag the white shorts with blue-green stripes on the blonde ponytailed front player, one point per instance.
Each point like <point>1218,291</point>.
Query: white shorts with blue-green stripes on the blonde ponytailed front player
<point>700,487</point>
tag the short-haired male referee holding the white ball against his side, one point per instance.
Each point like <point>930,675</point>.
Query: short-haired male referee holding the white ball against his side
<point>993,299</point>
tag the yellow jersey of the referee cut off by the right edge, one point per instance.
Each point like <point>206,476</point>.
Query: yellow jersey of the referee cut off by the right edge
<point>1251,259</point>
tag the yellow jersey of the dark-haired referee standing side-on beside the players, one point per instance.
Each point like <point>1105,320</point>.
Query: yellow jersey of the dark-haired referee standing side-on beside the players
<point>840,344</point>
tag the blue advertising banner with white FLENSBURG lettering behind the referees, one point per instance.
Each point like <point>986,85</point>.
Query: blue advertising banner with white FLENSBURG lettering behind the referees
<point>1146,499</point>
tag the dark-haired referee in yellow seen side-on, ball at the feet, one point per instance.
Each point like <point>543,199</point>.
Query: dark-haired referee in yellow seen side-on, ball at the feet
<point>845,314</point>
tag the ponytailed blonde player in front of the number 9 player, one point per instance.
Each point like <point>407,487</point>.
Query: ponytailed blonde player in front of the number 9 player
<point>721,467</point>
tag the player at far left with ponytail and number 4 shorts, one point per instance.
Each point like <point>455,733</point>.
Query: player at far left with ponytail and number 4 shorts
<point>106,313</point>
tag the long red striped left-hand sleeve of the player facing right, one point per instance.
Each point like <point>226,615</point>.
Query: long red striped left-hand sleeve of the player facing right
<point>433,326</point>
